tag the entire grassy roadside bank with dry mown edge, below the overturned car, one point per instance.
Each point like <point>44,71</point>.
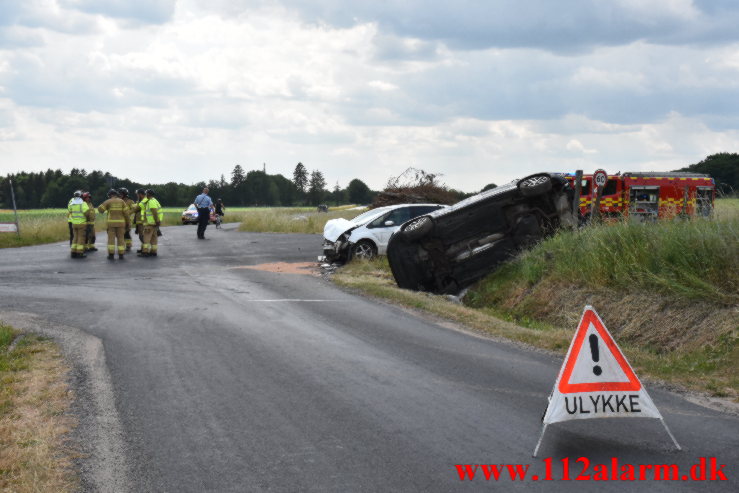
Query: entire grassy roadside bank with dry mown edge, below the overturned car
<point>667,291</point>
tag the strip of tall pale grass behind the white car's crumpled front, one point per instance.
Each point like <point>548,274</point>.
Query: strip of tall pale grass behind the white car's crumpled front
<point>294,220</point>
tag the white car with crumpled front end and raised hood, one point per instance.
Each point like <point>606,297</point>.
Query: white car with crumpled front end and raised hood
<point>367,235</point>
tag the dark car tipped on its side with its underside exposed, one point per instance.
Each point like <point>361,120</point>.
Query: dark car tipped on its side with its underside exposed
<point>449,249</point>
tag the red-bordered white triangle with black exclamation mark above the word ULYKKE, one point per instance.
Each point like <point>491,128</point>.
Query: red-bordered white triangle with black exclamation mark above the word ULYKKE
<point>595,363</point>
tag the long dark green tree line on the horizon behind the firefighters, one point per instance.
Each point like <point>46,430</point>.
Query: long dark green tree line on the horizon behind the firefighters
<point>53,188</point>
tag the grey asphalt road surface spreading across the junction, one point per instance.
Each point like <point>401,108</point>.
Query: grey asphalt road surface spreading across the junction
<point>233,379</point>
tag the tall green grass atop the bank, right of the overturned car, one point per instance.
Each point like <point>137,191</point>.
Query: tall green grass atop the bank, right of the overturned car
<point>695,260</point>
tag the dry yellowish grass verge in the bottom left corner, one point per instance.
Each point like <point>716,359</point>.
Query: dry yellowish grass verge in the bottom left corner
<point>34,419</point>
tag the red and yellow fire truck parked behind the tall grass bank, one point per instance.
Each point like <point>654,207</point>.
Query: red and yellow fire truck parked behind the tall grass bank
<point>650,195</point>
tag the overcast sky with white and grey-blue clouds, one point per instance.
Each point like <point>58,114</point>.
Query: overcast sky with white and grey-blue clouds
<point>479,91</point>
